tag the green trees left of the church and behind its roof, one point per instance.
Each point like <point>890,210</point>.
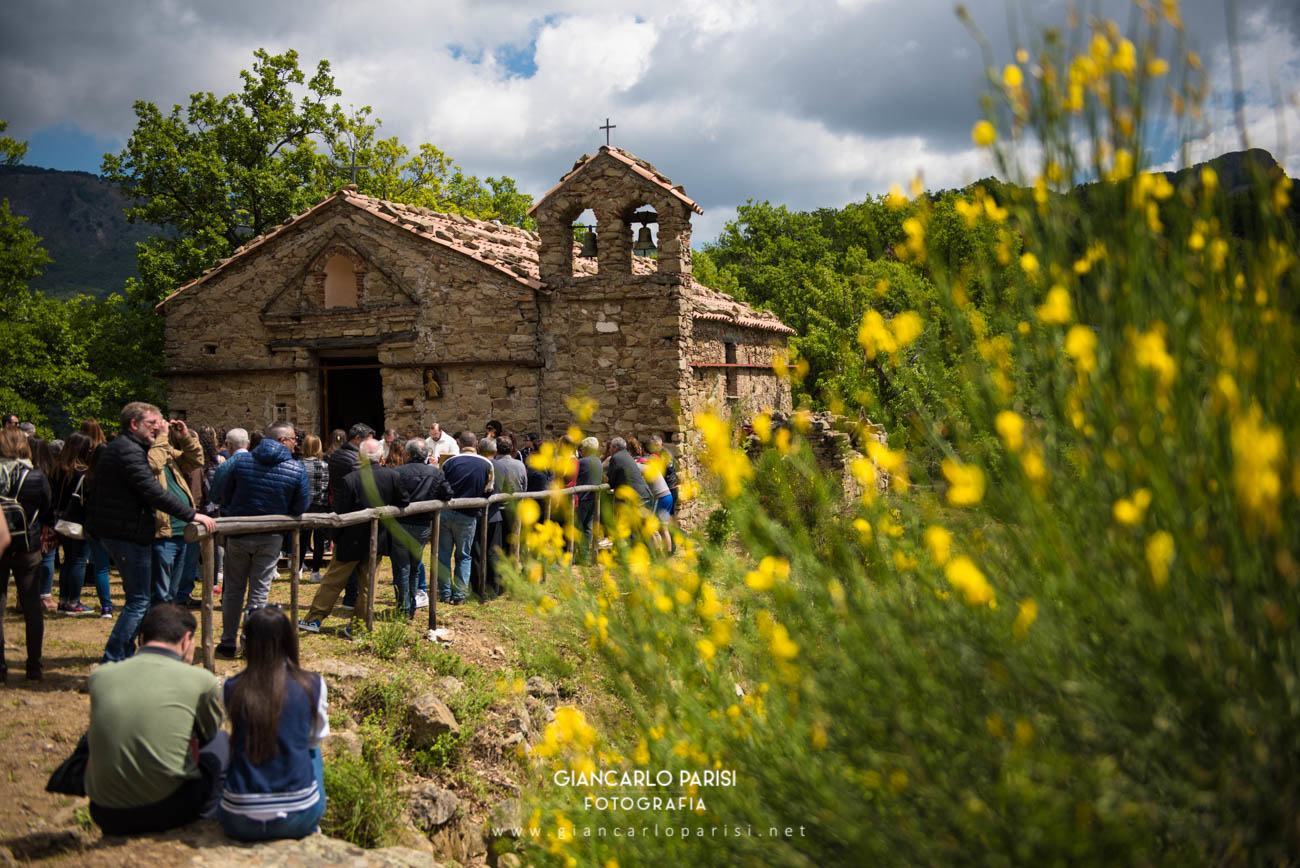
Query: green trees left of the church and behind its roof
<point>211,173</point>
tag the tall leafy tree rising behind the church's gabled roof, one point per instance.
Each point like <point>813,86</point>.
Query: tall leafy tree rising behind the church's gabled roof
<point>226,168</point>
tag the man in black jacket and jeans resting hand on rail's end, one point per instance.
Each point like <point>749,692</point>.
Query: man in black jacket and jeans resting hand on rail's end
<point>122,498</point>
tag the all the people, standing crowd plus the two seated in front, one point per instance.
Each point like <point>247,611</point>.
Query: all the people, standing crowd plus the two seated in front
<point>157,756</point>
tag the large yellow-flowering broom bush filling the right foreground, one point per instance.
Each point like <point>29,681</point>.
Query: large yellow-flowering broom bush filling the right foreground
<point>1068,641</point>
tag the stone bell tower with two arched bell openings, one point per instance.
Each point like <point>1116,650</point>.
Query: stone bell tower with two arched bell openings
<point>616,327</point>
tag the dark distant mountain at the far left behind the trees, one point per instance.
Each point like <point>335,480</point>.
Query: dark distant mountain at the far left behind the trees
<point>80,219</point>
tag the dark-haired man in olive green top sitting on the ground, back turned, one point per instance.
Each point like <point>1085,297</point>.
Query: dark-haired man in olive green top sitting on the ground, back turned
<point>157,748</point>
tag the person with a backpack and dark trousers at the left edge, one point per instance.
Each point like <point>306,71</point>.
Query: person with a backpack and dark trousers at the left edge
<point>28,489</point>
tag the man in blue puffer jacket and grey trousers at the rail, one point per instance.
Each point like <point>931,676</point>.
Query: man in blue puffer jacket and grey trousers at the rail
<point>265,483</point>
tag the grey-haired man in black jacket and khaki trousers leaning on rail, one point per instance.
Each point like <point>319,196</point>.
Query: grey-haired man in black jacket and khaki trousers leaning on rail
<point>353,545</point>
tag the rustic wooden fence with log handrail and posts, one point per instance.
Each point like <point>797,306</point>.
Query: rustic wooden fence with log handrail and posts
<point>240,526</point>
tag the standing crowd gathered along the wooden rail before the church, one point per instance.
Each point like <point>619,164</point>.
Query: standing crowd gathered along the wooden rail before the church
<point>93,501</point>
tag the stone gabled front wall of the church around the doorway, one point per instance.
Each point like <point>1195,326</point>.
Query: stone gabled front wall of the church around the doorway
<point>421,306</point>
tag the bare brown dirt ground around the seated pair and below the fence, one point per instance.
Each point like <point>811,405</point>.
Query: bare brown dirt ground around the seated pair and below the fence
<point>41,722</point>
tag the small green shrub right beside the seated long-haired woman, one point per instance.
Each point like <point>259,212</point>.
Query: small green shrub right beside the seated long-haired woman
<point>363,801</point>
